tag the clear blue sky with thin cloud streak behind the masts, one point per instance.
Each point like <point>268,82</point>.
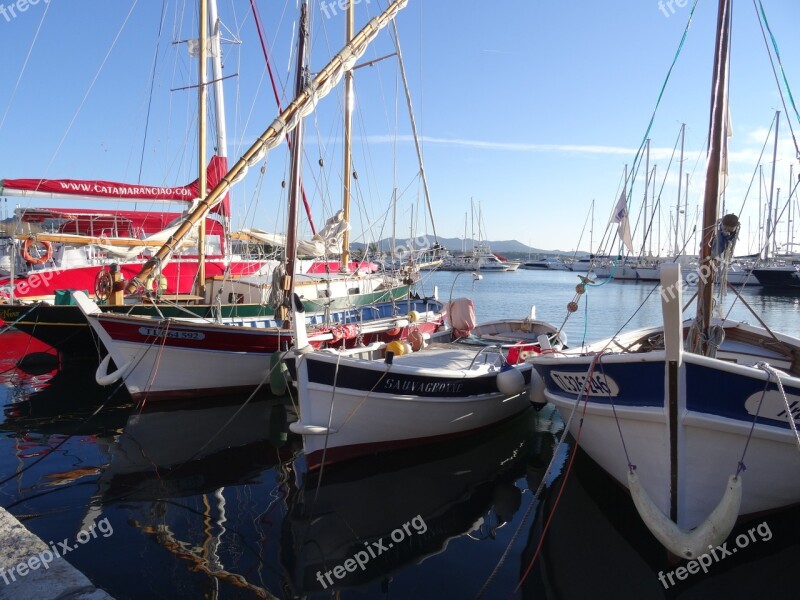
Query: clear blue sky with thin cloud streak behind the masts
<point>532,109</point>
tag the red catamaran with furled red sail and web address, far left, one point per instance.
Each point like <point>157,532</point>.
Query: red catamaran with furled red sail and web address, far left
<point>83,243</point>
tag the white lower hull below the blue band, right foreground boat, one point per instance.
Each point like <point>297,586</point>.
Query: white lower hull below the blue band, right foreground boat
<point>711,447</point>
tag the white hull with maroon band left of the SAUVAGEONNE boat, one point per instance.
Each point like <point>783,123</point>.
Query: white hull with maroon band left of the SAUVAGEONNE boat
<point>172,358</point>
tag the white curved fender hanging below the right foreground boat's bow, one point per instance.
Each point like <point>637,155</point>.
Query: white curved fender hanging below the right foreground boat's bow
<point>708,534</point>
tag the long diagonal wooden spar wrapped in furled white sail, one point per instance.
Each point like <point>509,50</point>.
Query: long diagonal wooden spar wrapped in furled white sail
<point>272,135</point>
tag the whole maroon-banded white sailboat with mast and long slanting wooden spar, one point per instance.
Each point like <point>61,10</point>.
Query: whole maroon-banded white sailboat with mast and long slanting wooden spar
<point>160,357</point>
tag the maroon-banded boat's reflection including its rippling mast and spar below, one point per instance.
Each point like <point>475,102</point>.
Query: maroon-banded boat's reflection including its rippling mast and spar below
<point>198,484</point>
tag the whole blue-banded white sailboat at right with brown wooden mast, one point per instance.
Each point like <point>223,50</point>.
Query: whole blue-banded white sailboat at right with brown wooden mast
<point>697,419</point>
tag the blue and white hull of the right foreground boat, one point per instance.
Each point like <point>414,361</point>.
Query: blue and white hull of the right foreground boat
<point>627,394</point>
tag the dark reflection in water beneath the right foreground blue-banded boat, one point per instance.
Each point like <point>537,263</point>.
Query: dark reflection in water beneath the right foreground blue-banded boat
<point>597,547</point>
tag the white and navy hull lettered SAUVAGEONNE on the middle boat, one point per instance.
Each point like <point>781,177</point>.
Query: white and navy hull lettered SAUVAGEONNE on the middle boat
<point>351,407</point>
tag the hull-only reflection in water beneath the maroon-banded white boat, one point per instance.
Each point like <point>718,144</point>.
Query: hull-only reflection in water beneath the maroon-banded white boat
<point>179,449</point>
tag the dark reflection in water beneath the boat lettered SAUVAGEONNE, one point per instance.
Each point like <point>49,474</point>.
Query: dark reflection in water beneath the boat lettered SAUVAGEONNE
<point>359,523</point>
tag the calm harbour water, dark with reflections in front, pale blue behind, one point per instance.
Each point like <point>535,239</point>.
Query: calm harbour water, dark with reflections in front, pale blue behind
<point>190,508</point>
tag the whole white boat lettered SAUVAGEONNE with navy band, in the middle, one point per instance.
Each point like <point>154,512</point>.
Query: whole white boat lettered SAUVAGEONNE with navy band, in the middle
<point>382,396</point>
